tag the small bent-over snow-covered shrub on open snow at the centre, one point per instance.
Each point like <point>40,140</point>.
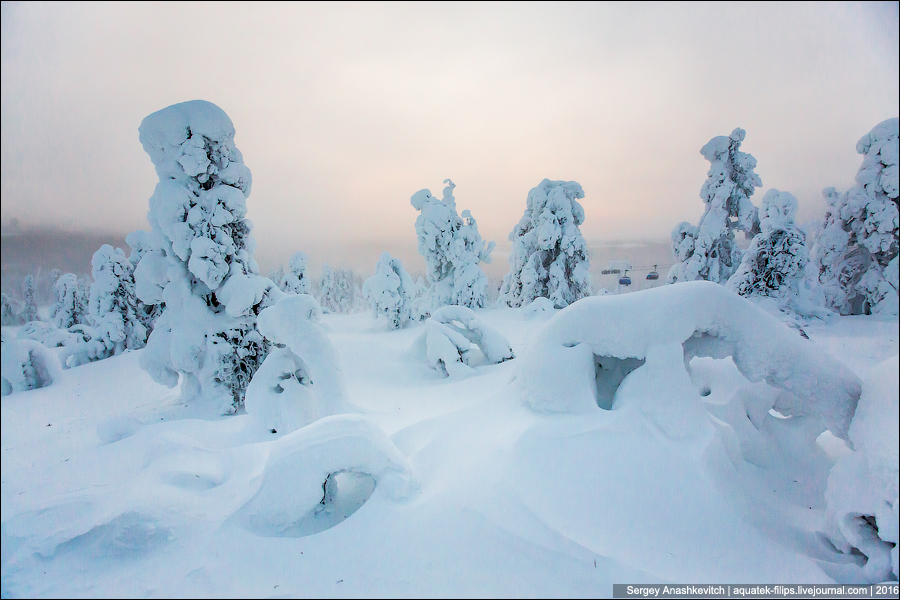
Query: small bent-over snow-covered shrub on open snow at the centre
<point>450,333</point>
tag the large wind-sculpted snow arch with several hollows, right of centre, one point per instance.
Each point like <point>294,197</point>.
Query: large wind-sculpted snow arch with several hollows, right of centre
<point>666,327</point>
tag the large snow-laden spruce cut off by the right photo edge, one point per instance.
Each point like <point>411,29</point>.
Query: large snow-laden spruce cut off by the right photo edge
<point>856,250</point>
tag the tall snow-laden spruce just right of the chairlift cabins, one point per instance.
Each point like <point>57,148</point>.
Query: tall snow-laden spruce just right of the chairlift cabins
<point>713,254</point>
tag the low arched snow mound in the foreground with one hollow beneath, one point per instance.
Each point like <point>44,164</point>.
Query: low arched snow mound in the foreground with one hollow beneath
<point>298,476</point>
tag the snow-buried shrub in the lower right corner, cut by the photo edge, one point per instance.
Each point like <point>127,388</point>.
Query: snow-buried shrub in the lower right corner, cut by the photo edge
<point>862,496</point>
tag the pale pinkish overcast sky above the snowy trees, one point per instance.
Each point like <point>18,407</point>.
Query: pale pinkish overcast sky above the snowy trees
<point>343,111</point>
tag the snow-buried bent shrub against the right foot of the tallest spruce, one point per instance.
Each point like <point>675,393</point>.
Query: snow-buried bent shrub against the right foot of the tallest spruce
<point>300,381</point>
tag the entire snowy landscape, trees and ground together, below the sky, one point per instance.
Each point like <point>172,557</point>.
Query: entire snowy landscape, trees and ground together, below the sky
<point>177,423</point>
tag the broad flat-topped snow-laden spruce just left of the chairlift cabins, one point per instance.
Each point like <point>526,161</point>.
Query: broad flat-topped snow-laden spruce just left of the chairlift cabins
<point>549,257</point>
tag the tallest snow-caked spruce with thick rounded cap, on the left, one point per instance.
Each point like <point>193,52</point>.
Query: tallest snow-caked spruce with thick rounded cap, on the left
<point>198,259</point>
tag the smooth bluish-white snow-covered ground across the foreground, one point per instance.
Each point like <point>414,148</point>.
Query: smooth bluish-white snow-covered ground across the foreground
<point>112,487</point>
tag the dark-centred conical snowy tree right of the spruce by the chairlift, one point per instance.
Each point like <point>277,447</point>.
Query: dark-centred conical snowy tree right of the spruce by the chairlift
<point>775,261</point>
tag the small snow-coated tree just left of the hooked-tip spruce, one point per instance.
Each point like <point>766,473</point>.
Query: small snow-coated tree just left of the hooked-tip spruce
<point>390,292</point>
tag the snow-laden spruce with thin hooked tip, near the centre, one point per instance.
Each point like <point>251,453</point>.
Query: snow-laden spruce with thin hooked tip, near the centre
<point>452,248</point>
